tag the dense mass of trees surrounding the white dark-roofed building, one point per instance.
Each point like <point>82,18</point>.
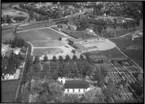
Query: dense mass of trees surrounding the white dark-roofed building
<point>50,70</point>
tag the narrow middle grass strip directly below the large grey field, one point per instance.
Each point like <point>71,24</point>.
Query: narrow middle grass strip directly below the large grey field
<point>47,43</point>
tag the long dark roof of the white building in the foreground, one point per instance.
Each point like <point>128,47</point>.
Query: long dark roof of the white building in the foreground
<point>76,84</point>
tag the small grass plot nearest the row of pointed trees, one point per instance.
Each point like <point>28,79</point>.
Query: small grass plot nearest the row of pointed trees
<point>43,51</point>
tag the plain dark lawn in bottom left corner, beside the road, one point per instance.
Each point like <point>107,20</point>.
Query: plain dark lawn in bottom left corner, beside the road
<point>9,89</point>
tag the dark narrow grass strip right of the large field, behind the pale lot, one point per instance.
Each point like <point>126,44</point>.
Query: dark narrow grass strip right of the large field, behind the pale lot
<point>78,34</point>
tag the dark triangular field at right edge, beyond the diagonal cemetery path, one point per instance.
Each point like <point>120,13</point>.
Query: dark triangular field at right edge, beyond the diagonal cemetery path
<point>135,54</point>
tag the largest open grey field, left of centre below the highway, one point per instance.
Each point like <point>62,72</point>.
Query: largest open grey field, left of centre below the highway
<point>39,34</point>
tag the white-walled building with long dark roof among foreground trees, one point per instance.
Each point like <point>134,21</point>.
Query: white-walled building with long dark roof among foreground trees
<point>74,86</point>
